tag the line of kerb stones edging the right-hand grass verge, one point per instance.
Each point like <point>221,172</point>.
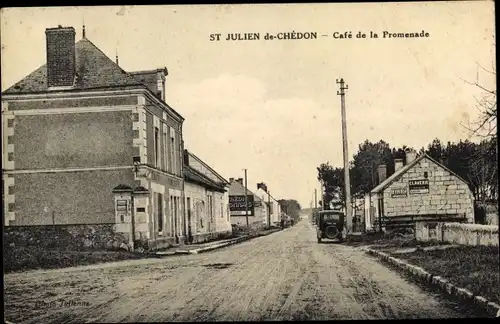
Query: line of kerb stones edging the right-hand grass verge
<point>441,283</point>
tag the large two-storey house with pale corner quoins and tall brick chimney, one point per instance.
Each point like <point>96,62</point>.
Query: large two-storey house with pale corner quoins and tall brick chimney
<point>77,127</point>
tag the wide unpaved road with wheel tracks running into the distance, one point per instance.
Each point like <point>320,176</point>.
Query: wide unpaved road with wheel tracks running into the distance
<point>283,276</point>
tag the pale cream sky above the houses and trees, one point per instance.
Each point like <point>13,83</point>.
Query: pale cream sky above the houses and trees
<point>271,106</point>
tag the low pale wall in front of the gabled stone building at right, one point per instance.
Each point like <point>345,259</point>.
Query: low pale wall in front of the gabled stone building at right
<point>456,233</point>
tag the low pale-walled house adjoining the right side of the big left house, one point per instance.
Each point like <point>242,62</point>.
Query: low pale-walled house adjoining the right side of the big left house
<point>207,201</point>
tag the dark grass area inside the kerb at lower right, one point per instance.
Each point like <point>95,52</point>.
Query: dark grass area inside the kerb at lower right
<point>472,267</point>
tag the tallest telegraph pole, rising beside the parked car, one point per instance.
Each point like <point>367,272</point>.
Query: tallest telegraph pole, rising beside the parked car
<point>347,181</point>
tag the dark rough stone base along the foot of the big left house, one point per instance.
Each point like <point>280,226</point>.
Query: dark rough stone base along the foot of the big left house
<point>65,237</point>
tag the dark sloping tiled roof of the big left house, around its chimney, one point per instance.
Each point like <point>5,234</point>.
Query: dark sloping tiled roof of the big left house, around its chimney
<point>93,68</point>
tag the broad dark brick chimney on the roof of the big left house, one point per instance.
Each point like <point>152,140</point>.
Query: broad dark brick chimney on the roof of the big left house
<point>60,56</point>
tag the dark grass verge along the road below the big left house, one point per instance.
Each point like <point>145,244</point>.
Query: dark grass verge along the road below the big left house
<point>32,257</point>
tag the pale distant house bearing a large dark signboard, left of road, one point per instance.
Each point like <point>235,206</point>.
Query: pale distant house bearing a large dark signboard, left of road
<point>257,210</point>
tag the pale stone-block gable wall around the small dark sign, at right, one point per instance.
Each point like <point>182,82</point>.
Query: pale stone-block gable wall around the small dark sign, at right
<point>448,195</point>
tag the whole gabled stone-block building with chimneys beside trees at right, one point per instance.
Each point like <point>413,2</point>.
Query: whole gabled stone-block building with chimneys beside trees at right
<point>421,189</point>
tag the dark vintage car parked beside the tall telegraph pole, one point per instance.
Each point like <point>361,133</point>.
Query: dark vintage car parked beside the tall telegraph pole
<point>330,225</point>
